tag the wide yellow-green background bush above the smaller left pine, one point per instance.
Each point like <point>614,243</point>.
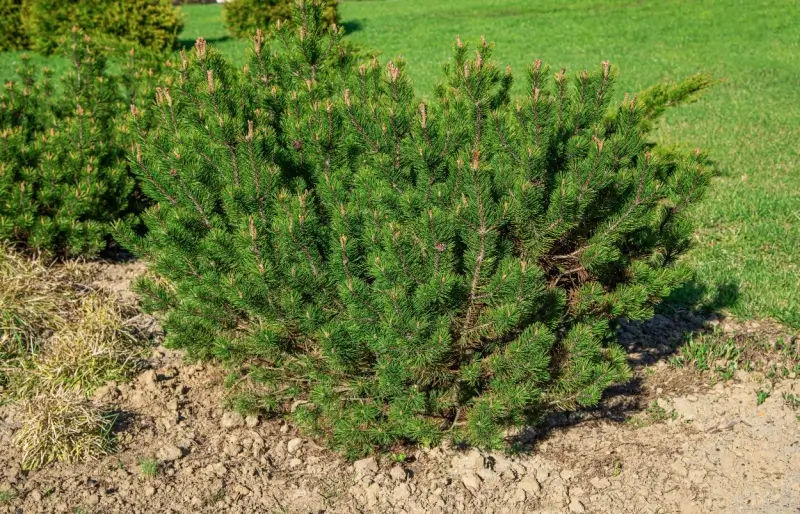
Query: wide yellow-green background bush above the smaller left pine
<point>149,24</point>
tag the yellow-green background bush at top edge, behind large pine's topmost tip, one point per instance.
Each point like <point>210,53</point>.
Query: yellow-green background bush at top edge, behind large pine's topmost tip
<point>244,17</point>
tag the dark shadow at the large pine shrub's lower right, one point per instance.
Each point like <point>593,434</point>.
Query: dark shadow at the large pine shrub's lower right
<point>691,310</point>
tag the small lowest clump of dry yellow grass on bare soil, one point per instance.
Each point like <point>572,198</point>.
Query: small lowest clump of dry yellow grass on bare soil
<point>62,426</point>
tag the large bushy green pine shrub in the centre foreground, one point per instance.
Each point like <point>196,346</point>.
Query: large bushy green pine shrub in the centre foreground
<point>395,270</point>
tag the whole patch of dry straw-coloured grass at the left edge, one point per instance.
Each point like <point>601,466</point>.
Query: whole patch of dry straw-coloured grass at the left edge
<point>59,341</point>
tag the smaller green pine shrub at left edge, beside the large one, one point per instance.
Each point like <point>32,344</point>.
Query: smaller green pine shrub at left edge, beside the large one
<point>63,170</point>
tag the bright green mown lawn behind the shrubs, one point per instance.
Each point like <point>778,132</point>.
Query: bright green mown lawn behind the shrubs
<point>747,254</point>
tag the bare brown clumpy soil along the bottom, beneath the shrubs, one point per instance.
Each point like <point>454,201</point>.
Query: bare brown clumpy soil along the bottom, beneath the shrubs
<point>705,448</point>
